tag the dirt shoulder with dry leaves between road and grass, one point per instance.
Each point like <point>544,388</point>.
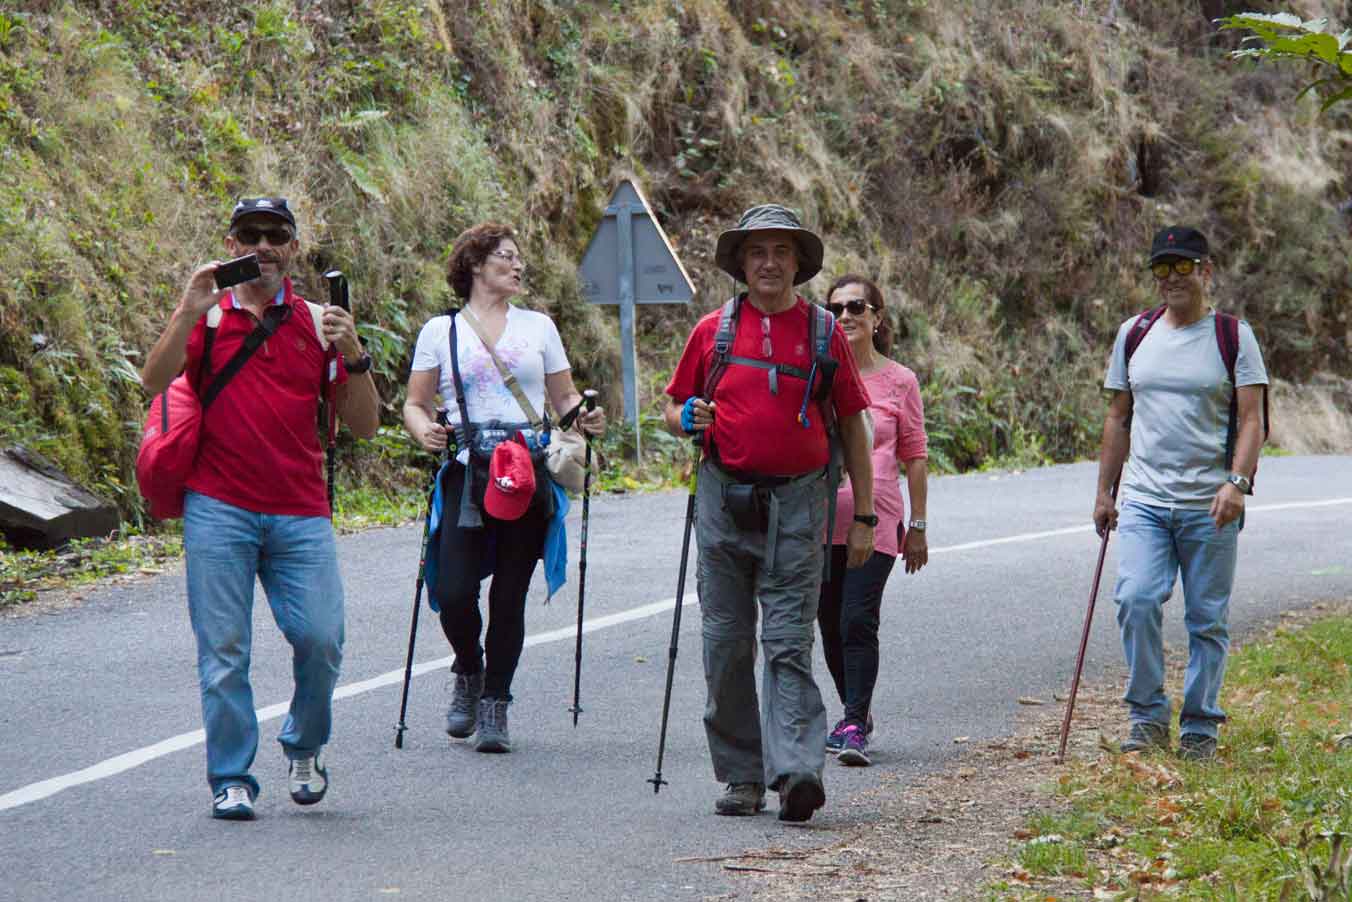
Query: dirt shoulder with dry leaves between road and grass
<point>951,834</point>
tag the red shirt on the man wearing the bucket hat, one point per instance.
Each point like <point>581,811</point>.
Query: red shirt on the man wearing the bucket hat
<point>755,431</point>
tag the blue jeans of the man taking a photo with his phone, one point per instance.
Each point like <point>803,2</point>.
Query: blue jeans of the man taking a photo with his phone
<point>295,559</point>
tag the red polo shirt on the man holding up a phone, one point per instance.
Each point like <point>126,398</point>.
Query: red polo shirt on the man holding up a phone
<point>262,447</point>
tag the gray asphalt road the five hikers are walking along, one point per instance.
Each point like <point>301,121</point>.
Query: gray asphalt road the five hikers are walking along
<point>102,770</point>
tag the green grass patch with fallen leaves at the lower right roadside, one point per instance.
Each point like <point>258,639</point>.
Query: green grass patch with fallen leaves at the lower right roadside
<point>1272,819</point>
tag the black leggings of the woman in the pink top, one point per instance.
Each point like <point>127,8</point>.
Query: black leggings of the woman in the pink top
<point>848,613</point>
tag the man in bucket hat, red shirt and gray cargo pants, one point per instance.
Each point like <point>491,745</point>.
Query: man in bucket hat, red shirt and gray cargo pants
<point>767,382</point>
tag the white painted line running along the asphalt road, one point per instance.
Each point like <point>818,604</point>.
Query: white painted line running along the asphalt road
<point>114,766</point>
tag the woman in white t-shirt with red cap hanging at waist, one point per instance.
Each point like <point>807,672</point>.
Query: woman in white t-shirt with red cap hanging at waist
<point>486,271</point>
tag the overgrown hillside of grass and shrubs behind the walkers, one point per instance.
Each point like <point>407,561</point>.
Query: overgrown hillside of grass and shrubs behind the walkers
<point>998,167</point>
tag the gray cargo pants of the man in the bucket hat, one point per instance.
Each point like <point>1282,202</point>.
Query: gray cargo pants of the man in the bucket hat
<point>735,574</point>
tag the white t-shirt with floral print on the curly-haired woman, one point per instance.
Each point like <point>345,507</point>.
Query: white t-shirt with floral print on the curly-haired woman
<point>529,347</point>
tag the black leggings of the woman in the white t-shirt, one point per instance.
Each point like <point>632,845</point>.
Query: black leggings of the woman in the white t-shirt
<point>513,548</point>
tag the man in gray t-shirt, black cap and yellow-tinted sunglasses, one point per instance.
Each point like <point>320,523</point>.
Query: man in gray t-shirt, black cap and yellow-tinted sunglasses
<point>1184,486</point>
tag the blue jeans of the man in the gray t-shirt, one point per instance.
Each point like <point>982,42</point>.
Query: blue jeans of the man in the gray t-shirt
<point>1159,544</point>
